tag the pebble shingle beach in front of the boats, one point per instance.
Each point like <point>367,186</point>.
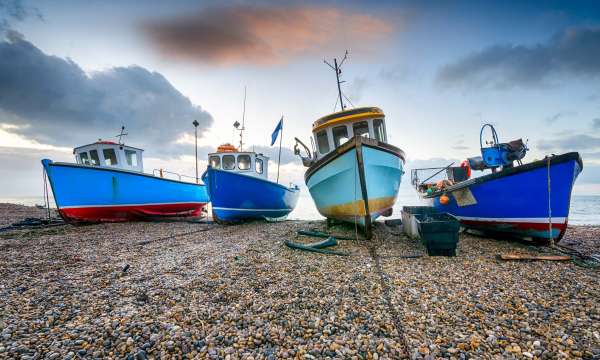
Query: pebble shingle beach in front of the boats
<point>189,290</point>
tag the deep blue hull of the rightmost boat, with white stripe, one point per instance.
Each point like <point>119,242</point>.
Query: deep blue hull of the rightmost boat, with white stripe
<point>515,201</point>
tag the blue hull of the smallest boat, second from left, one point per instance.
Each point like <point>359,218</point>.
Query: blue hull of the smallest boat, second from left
<point>237,197</point>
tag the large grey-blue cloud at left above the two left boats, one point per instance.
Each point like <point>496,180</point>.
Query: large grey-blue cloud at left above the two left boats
<point>53,101</point>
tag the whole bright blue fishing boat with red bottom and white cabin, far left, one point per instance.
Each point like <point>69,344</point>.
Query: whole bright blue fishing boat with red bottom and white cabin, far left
<point>107,184</point>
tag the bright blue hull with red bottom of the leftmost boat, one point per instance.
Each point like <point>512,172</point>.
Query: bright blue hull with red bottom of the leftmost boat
<point>97,194</point>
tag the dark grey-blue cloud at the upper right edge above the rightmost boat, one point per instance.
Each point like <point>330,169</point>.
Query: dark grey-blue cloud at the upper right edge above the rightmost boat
<point>573,51</point>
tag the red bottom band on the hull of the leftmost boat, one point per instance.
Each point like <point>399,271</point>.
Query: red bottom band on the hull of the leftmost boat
<point>130,212</point>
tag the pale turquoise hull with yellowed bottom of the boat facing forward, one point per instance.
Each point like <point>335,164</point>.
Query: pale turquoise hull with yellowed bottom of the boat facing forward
<point>358,182</point>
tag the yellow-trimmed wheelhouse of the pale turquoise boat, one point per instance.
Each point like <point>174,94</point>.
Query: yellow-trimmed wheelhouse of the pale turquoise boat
<point>334,130</point>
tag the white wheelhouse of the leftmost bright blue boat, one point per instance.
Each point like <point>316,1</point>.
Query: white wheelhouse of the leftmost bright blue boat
<point>110,154</point>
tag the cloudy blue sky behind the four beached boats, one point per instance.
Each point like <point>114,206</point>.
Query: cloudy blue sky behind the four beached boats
<point>72,72</point>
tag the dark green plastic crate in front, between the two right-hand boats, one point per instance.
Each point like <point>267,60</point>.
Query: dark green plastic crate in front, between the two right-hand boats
<point>439,233</point>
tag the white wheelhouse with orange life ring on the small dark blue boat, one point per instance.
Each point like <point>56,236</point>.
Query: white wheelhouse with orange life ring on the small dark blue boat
<point>245,162</point>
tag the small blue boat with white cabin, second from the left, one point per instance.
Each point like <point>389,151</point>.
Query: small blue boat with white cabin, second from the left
<point>239,188</point>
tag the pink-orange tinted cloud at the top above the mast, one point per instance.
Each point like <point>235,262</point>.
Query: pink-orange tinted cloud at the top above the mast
<point>248,34</point>
